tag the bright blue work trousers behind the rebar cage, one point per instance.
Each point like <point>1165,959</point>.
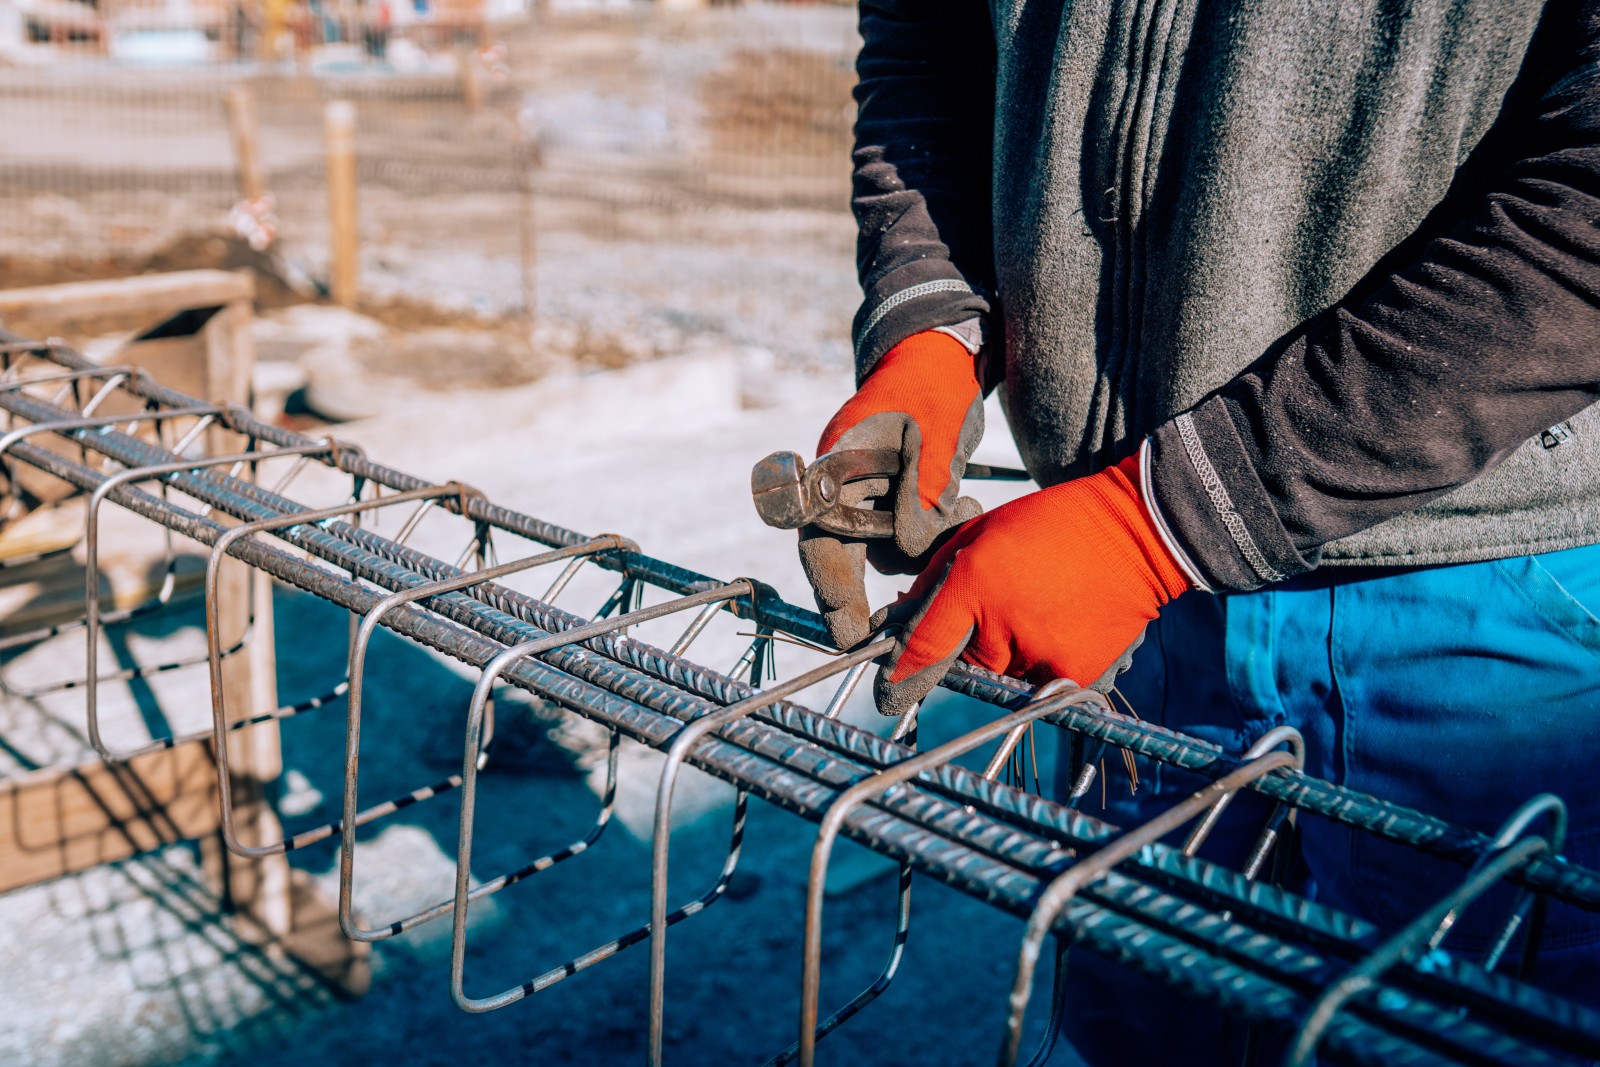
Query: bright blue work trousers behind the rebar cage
<point>1458,690</point>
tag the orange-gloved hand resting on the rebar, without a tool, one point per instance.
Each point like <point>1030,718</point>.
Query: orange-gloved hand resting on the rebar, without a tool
<point>1055,585</point>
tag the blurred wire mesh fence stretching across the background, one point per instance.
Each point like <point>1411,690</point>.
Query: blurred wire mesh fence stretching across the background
<point>626,126</point>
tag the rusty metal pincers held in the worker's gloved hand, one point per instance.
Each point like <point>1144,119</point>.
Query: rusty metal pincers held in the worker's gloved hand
<point>791,495</point>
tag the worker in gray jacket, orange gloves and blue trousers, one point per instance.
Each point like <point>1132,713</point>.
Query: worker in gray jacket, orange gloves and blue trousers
<point>1295,316</point>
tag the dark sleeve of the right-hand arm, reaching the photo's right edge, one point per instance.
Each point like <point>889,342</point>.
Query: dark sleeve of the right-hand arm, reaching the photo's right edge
<point>1479,334</point>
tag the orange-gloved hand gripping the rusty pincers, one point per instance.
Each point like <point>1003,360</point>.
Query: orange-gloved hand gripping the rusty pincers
<point>924,401</point>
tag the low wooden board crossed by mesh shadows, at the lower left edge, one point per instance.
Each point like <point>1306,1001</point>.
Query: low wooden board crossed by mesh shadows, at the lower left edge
<point>57,823</point>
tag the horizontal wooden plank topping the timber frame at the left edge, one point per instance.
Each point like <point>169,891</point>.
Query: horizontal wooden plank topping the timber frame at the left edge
<point>154,294</point>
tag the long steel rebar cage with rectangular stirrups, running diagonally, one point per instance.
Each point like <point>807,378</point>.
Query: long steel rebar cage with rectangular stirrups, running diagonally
<point>1343,989</point>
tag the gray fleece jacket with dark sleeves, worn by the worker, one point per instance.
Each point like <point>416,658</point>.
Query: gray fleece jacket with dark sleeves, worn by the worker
<point>1338,262</point>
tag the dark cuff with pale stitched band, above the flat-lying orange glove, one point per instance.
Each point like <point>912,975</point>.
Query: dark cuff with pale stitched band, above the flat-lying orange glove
<point>1214,505</point>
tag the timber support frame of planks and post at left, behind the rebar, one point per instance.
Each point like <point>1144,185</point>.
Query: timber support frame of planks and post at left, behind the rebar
<point>63,820</point>
